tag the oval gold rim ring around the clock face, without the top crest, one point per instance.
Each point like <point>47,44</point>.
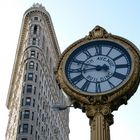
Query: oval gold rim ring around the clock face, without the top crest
<point>126,88</point>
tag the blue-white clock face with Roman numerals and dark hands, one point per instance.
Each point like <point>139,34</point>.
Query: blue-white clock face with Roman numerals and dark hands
<point>98,67</point>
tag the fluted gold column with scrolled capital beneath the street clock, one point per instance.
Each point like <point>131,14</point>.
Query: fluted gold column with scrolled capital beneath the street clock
<point>100,119</point>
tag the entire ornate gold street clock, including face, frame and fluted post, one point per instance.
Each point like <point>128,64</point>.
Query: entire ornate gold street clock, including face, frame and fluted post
<point>99,73</point>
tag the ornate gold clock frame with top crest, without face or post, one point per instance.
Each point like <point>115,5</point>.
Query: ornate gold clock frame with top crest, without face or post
<point>119,95</point>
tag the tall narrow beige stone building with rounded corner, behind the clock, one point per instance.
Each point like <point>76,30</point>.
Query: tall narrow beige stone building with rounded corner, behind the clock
<point>33,87</point>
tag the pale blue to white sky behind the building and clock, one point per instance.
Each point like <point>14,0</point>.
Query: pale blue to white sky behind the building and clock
<point>72,20</point>
